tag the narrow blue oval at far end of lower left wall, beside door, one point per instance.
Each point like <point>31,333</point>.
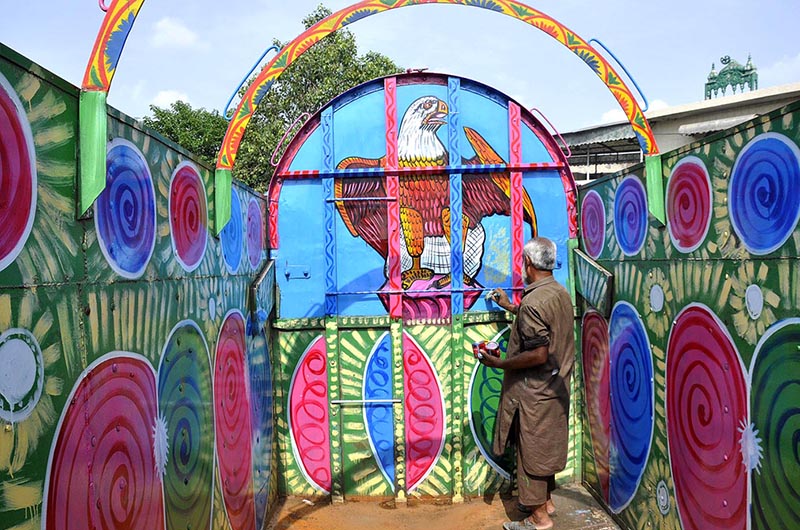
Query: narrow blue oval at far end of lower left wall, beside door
<point>261,409</point>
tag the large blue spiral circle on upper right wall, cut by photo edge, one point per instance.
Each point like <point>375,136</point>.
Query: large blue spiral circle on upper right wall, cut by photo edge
<point>764,192</point>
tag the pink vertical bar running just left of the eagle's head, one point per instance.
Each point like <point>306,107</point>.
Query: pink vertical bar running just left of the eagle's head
<point>392,190</point>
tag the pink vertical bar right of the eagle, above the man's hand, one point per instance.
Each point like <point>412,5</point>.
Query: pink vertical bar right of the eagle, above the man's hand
<point>517,233</point>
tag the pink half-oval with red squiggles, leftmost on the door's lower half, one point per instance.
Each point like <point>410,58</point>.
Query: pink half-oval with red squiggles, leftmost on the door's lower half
<point>308,415</point>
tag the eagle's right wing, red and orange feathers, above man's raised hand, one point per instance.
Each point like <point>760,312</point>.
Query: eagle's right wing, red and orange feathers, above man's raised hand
<point>484,197</point>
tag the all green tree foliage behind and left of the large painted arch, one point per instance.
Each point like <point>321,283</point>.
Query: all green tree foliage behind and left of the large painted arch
<point>330,68</point>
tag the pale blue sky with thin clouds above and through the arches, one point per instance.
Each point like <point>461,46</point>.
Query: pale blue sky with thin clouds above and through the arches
<point>199,50</point>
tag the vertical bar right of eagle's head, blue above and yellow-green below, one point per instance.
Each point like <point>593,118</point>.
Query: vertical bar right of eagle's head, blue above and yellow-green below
<point>457,296</point>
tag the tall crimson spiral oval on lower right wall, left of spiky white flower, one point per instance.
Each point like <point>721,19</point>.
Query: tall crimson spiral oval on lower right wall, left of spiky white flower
<point>706,403</point>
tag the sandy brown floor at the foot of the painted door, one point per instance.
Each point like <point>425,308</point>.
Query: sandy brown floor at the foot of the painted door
<point>576,510</point>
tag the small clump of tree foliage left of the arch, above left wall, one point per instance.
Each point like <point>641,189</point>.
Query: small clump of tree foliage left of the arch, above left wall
<point>198,130</point>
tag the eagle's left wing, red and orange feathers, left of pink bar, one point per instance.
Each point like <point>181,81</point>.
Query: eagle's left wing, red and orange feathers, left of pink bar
<point>363,218</point>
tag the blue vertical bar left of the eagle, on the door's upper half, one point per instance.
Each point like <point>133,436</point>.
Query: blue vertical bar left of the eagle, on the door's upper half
<point>331,299</point>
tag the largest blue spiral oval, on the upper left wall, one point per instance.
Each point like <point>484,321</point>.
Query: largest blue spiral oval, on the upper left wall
<point>125,212</point>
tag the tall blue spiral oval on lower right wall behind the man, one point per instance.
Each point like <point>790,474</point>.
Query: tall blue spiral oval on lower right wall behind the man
<point>631,385</point>
